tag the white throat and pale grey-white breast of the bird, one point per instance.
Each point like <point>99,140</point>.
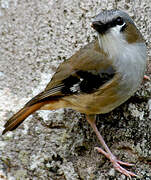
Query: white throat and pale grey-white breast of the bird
<point>128,59</point>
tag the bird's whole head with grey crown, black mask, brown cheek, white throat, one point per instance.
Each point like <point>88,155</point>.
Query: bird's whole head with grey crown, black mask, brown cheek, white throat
<point>115,30</point>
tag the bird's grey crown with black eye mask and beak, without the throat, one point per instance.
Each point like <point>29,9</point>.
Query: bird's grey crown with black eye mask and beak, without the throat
<point>105,20</point>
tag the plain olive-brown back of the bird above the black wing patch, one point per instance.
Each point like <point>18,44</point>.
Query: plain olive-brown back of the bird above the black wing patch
<point>87,59</point>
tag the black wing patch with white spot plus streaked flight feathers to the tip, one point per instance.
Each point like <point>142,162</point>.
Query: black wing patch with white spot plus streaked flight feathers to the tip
<point>80,82</point>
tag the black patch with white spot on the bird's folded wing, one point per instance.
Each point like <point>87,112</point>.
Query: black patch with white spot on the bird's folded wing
<point>86,81</point>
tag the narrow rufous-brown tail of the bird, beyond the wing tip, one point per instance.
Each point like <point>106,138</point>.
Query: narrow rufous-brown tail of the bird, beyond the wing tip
<point>20,116</point>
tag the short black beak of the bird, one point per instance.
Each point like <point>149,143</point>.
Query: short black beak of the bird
<point>99,27</point>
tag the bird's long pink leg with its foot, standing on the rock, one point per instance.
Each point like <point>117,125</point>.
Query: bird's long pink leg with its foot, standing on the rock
<point>116,163</point>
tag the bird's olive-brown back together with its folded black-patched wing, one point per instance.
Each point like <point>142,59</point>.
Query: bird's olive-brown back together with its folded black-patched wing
<point>84,72</point>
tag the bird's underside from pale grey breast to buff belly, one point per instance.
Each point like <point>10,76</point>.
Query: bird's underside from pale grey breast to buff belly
<point>129,67</point>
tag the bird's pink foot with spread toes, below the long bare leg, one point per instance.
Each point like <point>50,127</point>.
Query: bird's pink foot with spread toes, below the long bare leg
<point>117,164</point>
